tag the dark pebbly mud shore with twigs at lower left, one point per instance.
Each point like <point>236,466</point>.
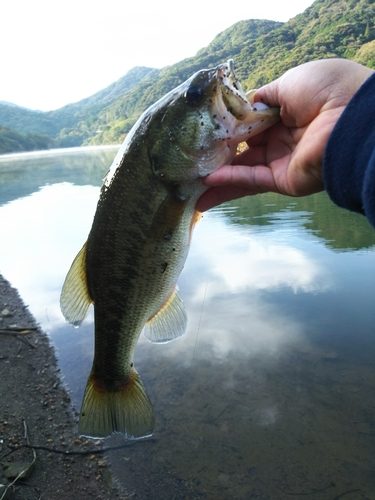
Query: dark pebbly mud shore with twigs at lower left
<point>35,406</point>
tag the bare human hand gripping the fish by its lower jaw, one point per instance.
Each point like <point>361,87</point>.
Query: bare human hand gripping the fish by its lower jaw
<point>287,158</point>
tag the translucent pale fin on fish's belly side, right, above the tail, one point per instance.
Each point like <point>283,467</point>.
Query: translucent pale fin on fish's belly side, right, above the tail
<point>169,322</point>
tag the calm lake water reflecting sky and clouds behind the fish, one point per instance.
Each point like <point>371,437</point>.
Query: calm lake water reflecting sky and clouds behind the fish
<point>270,394</point>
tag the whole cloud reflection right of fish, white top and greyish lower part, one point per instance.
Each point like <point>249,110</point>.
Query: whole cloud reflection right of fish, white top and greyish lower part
<point>228,285</point>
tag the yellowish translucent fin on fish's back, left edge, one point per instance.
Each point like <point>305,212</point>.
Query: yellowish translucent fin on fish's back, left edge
<point>75,298</point>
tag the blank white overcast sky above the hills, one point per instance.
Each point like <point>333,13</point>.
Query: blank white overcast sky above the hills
<point>55,53</point>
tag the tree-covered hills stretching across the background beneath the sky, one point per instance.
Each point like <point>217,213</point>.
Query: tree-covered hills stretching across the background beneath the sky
<point>262,51</point>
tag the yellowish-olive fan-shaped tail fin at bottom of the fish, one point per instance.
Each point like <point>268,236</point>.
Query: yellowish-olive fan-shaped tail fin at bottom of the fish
<point>127,410</point>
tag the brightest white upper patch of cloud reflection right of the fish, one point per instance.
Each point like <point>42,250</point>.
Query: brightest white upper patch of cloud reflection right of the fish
<point>247,259</point>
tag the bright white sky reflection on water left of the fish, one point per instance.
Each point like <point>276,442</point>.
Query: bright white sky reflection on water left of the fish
<point>44,231</point>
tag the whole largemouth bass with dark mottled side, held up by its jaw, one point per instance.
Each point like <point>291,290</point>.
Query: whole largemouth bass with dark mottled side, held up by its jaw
<point>140,235</point>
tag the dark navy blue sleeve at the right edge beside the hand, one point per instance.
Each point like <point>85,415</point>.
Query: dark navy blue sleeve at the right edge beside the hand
<point>349,159</point>
